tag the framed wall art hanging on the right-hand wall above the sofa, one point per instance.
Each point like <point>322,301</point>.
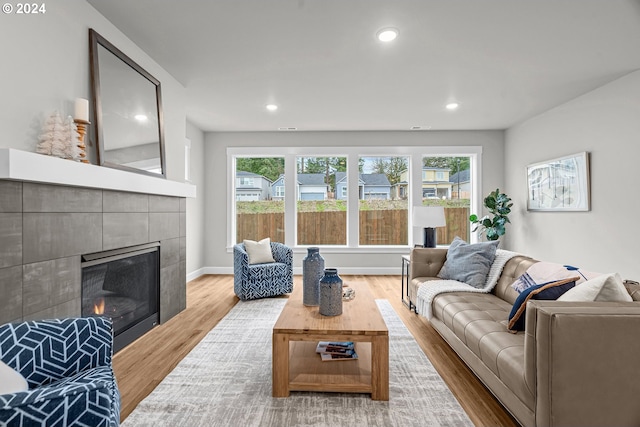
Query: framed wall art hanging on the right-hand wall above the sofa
<point>560,184</point>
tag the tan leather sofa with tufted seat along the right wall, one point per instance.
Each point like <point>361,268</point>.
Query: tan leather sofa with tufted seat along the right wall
<point>576,363</point>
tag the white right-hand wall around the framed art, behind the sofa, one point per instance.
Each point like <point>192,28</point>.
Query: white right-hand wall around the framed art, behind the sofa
<point>606,123</point>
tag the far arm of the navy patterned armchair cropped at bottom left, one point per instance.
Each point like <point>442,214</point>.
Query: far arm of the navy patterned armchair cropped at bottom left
<point>44,351</point>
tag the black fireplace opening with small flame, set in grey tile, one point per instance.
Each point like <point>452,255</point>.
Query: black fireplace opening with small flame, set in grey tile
<point>124,285</point>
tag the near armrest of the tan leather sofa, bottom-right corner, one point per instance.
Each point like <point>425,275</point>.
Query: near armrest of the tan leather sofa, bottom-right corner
<point>581,362</point>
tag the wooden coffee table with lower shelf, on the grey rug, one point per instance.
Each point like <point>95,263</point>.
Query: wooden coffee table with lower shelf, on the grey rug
<point>297,367</point>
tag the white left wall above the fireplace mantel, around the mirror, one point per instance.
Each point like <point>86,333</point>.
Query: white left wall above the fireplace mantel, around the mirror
<point>45,67</point>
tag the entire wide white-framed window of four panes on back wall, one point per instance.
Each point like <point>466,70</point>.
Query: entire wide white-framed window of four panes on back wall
<point>358,197</point>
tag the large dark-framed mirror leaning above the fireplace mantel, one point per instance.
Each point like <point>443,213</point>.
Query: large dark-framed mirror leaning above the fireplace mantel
<point>127,106</point>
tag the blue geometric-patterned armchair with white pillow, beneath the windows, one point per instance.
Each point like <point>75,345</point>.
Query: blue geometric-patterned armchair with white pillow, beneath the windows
<point>253,281</point>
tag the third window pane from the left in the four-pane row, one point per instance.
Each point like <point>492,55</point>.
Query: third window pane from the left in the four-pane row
<point>383,213</point>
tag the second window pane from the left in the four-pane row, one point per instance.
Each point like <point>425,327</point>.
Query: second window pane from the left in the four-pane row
<point>321,215</point>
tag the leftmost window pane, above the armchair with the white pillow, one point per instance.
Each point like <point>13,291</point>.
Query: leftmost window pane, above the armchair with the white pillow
<point>259,211</point>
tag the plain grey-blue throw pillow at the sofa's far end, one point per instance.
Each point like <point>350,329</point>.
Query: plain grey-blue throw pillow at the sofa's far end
<point>469,263</point>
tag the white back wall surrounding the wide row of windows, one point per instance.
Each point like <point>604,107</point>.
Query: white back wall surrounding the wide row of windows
<point>218,259</point>
